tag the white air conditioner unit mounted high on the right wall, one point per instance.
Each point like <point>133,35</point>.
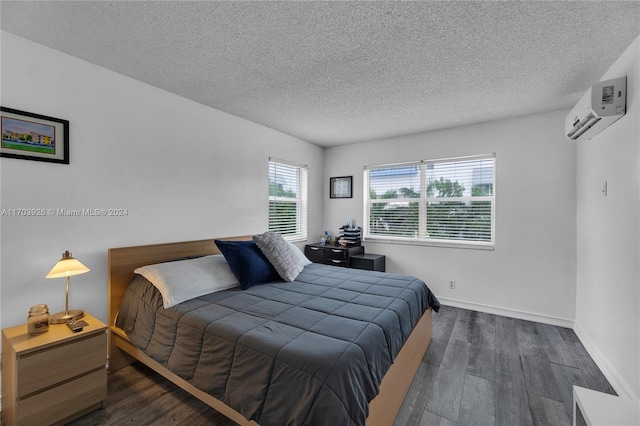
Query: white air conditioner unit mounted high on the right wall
<point>604,103</point>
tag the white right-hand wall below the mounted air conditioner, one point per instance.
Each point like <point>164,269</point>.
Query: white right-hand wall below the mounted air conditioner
<point>608,277</point>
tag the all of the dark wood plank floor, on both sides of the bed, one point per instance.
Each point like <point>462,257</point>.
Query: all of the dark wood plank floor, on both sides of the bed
<point>480,369</point>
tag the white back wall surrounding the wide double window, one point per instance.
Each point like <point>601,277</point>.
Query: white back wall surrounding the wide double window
<point>531,273</point>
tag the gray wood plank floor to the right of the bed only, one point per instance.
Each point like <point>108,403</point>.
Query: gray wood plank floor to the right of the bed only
<point>484,369</point>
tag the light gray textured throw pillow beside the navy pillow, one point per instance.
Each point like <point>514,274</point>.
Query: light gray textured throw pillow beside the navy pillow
<point>280,253</point>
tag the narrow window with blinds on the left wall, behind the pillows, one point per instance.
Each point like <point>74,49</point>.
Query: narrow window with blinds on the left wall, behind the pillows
<point>288,199</point>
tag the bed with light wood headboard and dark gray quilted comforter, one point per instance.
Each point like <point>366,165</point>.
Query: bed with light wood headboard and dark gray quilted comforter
<point>386,378</point>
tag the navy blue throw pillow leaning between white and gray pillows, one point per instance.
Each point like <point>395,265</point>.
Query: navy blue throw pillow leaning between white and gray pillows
<point>247,262</point>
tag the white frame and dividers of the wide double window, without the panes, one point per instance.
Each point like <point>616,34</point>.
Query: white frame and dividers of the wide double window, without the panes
<point>422,238</point>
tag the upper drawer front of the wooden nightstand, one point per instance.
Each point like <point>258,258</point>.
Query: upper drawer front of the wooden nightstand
<point>56,364</point>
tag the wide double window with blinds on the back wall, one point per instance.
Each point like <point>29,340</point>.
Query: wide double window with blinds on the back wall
<point>444,202</point>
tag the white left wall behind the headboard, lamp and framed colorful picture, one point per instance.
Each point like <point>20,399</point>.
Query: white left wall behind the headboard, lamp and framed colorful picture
<point>184,172</point>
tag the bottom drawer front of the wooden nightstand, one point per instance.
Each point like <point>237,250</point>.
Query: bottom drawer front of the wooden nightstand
<point>55,404</point>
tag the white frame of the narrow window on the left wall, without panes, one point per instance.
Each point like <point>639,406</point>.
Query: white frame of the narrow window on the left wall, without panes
<point>301,201</point>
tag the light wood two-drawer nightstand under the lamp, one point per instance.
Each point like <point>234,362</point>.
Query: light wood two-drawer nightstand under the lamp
<point>53,377</point>
